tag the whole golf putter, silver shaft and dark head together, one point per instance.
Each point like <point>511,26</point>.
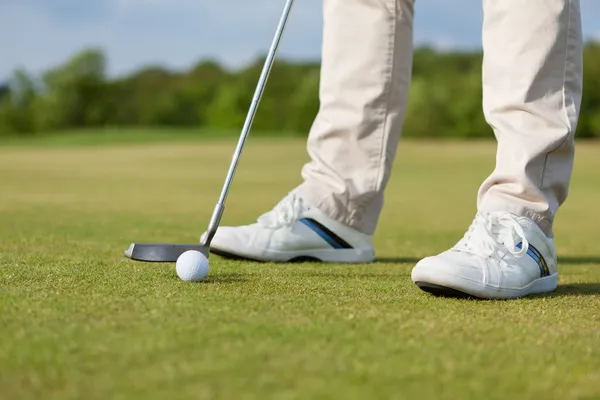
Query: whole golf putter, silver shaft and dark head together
<point>165,252</point>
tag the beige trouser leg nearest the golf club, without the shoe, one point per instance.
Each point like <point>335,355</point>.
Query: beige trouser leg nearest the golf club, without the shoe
<point>365,77</point>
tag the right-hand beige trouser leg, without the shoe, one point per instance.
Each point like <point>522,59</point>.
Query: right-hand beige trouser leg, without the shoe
<point>532,84</point>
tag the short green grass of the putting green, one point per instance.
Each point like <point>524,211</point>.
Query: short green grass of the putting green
<point>78,320</point>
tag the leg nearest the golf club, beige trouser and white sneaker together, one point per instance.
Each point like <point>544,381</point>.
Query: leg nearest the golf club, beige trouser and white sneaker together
<point>365,76</point>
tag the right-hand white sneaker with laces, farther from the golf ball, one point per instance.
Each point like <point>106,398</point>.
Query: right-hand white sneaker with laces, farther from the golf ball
<point>501,256</point>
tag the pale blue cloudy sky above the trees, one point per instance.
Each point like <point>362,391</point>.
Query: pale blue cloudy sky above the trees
<point>39,34</point>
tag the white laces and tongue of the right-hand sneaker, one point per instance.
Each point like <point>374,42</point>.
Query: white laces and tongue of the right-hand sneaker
<point>490,233</point>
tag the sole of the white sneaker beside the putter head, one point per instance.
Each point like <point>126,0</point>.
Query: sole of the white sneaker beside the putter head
<point>319,256</point>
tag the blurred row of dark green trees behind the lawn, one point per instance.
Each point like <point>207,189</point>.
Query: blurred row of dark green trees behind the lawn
<point>444,99</point>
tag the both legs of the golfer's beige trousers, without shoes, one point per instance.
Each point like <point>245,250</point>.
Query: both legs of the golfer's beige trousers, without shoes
<point>532,84</point>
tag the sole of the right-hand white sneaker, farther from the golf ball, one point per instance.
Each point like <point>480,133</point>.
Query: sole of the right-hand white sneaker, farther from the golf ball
<point>443,285</point>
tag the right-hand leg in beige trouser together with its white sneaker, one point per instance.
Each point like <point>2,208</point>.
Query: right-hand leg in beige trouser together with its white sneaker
<point>532,85</point>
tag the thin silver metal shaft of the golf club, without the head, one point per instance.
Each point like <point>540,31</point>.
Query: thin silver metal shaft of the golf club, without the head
<point>264,76</point>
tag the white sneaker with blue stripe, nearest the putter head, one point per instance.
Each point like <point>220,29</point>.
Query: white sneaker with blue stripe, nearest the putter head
<point>294,231</point>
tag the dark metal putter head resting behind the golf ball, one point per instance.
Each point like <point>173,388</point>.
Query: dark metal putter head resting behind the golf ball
<point>162,252</point>
